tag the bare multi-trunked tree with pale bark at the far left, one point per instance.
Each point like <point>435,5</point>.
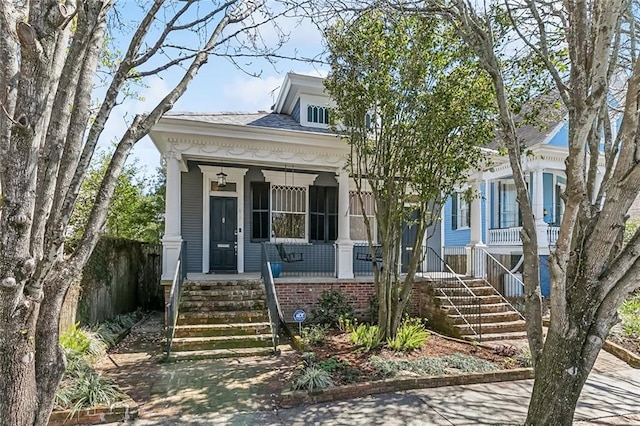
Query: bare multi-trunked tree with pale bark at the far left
<point>48,133</point>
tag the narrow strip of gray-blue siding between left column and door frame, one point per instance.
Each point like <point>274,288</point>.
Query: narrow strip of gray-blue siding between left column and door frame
<point>191,216</point>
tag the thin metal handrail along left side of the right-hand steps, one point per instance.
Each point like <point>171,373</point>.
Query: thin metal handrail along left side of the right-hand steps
<point>455,291</point>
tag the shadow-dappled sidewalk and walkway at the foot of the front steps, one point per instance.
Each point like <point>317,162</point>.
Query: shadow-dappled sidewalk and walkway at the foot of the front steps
<point>240,392</point>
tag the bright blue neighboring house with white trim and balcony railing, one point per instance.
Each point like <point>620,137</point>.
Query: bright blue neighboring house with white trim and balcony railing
<point>493,222</point>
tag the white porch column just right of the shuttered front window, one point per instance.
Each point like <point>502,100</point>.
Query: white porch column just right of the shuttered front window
<point>344,245</point>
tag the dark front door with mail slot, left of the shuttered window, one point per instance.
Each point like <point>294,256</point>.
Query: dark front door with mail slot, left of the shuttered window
<point>223,244</point>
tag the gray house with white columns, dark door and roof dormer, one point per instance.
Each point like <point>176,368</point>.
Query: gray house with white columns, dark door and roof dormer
<point>245,186</point>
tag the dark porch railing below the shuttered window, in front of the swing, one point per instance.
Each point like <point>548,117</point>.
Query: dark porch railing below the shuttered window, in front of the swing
<point>300,259</point>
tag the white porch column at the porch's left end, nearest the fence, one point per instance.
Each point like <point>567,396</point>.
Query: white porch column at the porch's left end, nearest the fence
<point>172,239</point>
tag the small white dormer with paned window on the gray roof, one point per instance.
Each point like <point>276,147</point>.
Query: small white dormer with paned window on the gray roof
<point>303,97</point>
